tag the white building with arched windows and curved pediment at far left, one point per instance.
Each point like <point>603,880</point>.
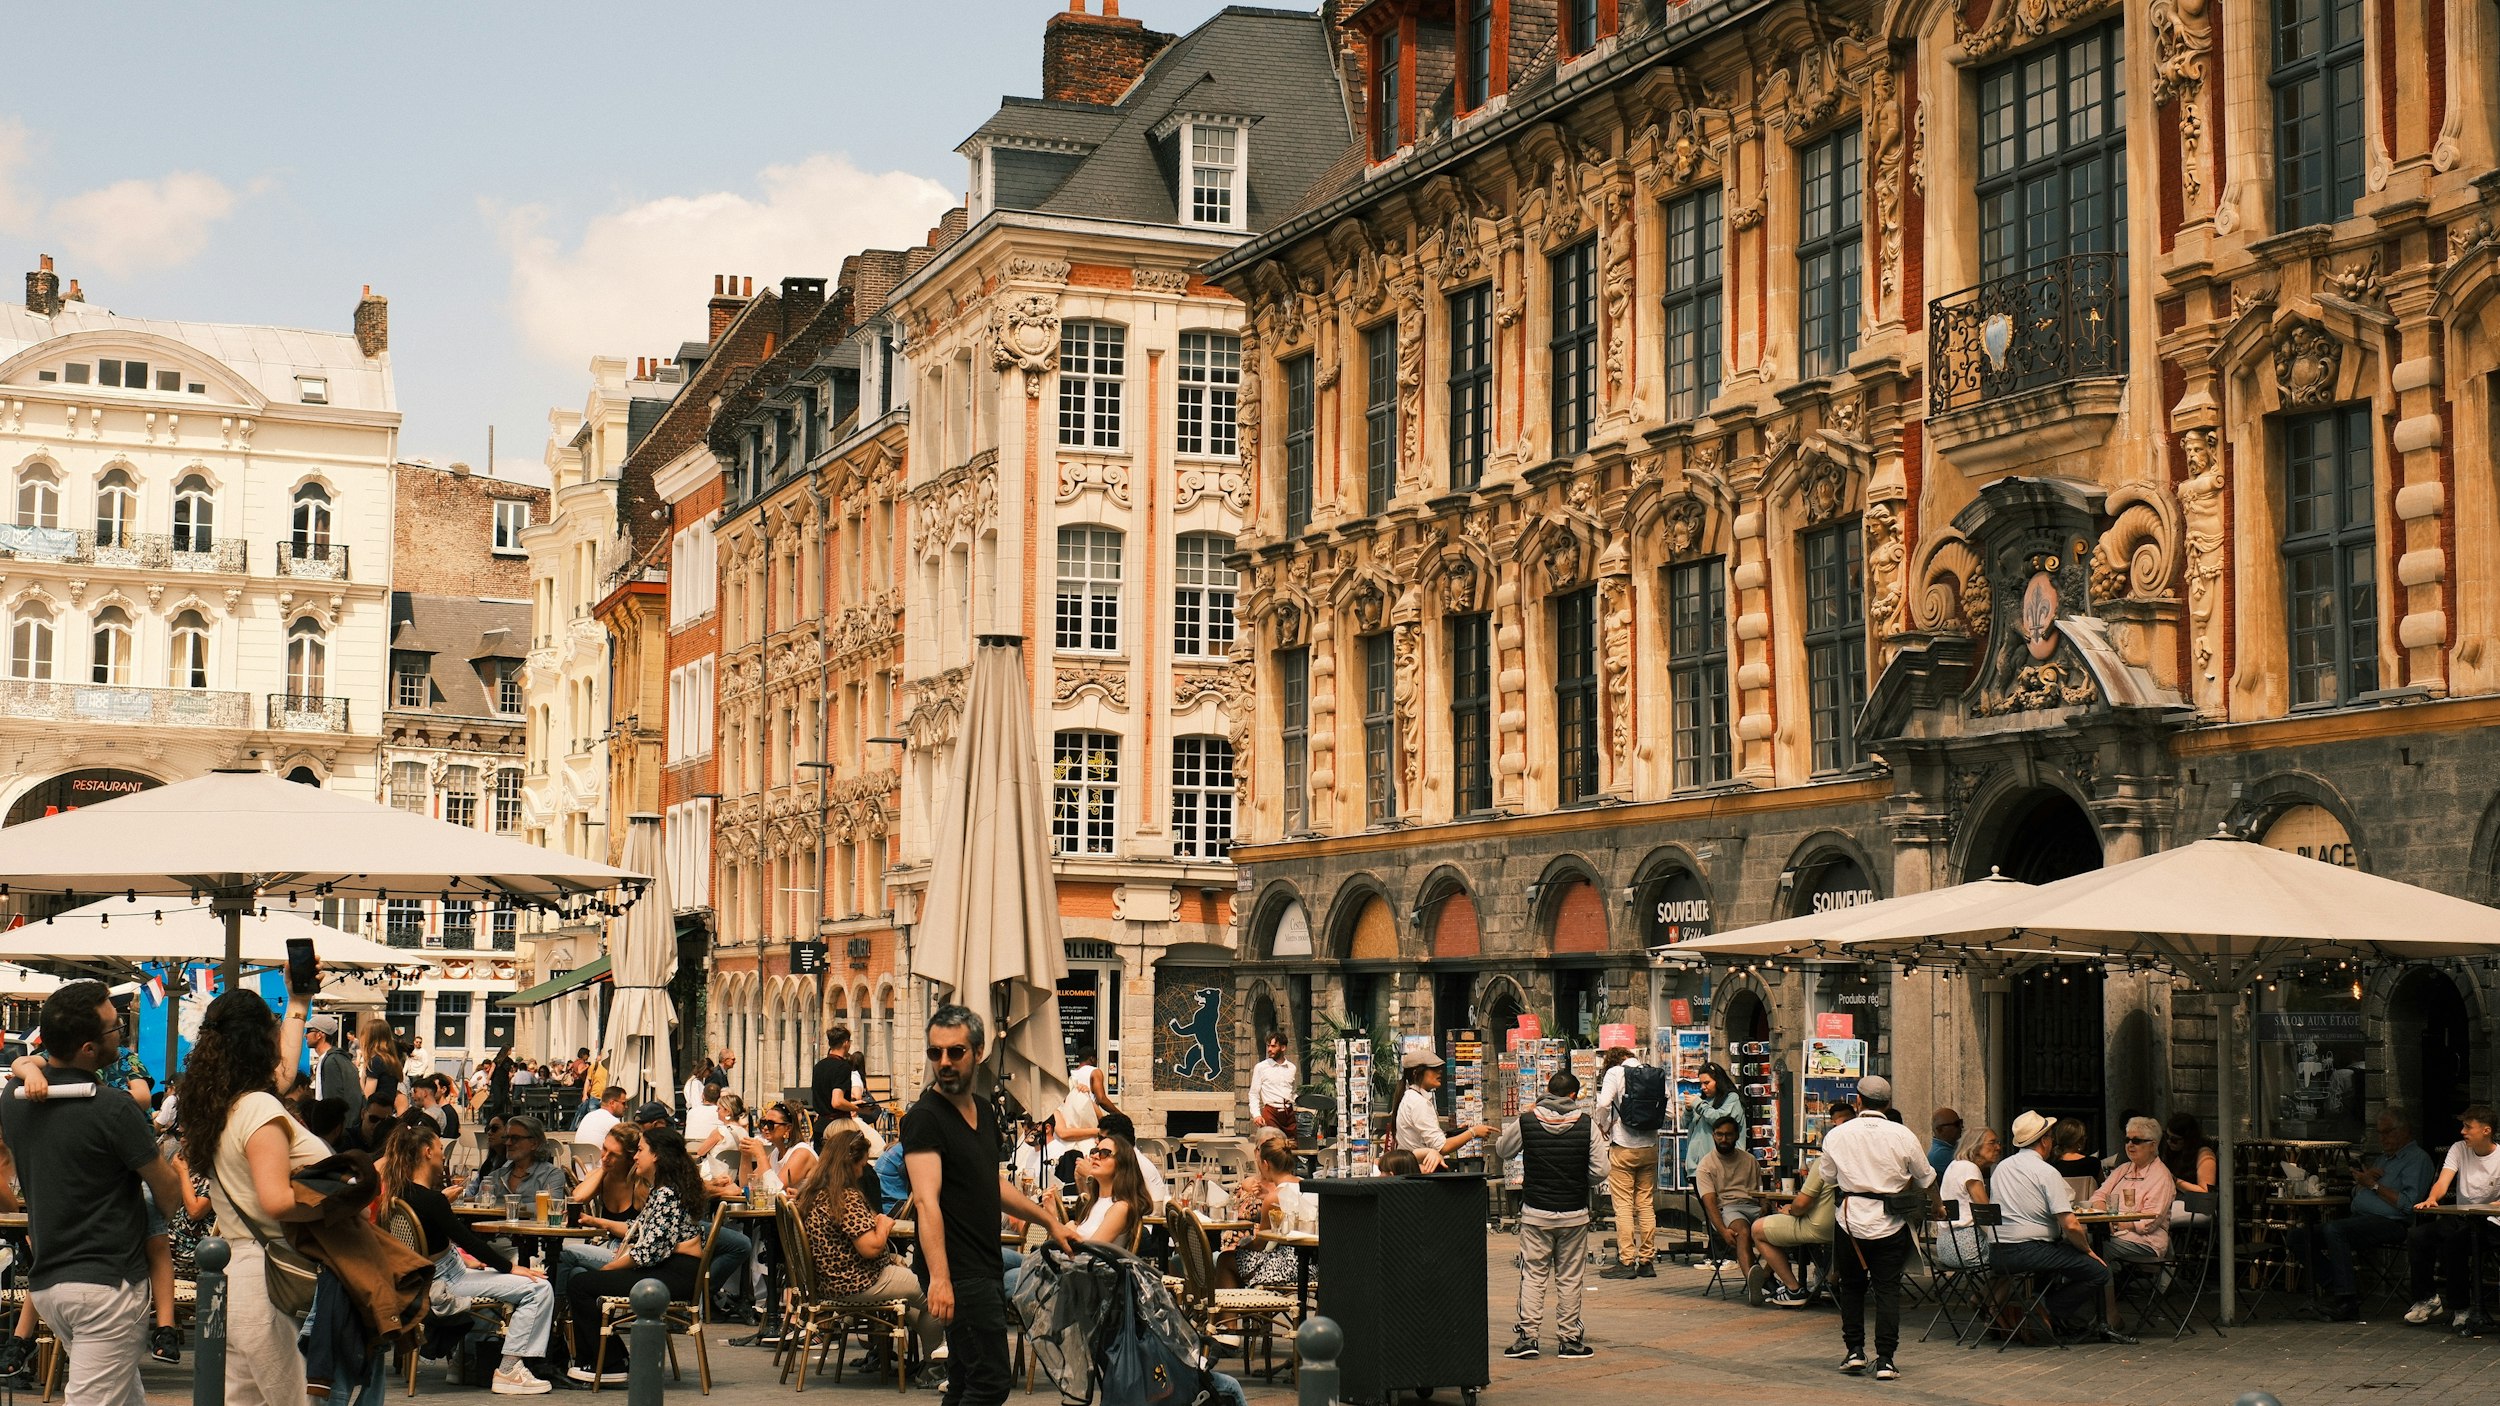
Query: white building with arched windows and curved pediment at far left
<point>194,549</point>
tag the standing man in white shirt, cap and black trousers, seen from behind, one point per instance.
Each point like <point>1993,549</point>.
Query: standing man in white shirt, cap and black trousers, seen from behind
<point>1881,1170</point>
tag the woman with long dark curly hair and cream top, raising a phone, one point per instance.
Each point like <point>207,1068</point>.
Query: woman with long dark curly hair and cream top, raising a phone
<point>241,1135</point>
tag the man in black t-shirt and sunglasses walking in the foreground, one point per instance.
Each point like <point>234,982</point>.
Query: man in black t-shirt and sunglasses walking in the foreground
<point>951,1155</point>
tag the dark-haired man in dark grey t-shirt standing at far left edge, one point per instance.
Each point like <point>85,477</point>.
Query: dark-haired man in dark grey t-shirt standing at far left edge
<point>81,1160</point>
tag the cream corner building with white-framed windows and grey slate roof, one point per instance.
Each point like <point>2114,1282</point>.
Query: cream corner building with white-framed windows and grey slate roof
<point>1074,479</point>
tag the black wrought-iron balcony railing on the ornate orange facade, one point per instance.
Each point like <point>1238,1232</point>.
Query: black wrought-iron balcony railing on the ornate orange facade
<point>2041,326</point>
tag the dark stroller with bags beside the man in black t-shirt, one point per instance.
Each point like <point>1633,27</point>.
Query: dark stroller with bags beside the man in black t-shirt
<point>1101,1325</point>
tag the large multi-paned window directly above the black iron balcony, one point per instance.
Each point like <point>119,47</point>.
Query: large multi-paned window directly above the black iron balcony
<point>2054,154</point>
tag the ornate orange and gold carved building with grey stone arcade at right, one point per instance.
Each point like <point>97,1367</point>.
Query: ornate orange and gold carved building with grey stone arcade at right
<point>1729,462</point>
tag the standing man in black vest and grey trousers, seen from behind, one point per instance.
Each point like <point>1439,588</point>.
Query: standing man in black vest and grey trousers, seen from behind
<point>1561,1157</point>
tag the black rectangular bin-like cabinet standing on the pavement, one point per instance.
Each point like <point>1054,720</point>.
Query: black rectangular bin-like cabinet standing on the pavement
<point>1404,1275</point>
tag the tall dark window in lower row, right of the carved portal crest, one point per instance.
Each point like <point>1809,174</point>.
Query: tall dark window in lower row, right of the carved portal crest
<point>2331,554</point>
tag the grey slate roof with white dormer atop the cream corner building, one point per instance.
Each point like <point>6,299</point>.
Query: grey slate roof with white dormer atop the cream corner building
<point>1274,66</point>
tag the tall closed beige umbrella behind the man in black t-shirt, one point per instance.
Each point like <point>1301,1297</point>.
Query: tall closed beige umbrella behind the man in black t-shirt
<point>991,927</point>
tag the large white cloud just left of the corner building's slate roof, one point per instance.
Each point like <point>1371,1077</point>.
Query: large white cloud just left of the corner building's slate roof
<point>636,281</point>
